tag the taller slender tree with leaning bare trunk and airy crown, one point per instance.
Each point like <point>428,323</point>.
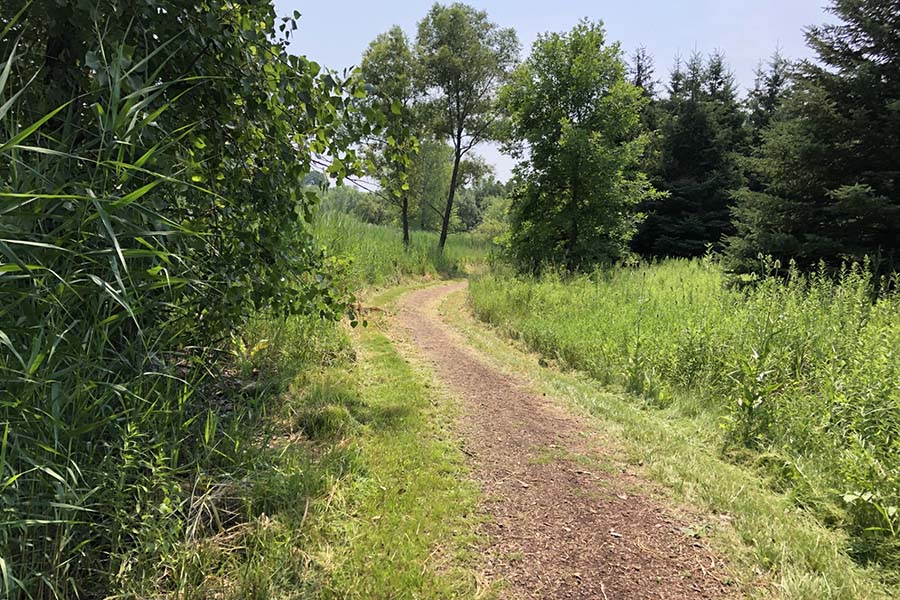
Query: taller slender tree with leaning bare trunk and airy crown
<point>465,59</point>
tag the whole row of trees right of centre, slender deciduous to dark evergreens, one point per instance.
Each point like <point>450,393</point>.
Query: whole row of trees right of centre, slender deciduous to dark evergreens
<point>613,163</point>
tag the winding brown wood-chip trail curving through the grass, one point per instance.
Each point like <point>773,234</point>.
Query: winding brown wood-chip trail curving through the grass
<point>558,528</point>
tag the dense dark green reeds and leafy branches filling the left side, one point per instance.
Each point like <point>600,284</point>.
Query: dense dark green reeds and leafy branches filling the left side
<point>153,156</point>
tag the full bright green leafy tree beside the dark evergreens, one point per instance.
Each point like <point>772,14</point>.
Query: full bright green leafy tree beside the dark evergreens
<point>571,104</point>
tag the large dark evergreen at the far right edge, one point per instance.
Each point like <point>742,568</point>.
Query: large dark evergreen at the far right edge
<point>830,185</point>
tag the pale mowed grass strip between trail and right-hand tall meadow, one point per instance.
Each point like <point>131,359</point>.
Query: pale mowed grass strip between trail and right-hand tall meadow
<point>776,550</point>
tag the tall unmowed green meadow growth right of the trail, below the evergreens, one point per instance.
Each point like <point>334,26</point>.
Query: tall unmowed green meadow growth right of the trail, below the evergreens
<point>802,375</point>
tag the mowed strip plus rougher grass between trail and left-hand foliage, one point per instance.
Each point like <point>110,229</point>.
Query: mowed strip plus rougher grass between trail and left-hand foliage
<point>349,486</point>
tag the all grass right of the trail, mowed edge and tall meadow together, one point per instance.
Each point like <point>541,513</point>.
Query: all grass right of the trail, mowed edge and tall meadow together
<point>686,354</point>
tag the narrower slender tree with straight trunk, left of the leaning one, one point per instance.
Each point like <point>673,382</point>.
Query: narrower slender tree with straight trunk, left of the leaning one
<point>389,67</point>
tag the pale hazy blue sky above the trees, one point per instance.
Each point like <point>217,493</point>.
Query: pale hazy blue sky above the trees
<point>335,33</point>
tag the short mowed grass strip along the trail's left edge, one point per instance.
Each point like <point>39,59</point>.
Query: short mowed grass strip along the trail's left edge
<point>407,524</point>
